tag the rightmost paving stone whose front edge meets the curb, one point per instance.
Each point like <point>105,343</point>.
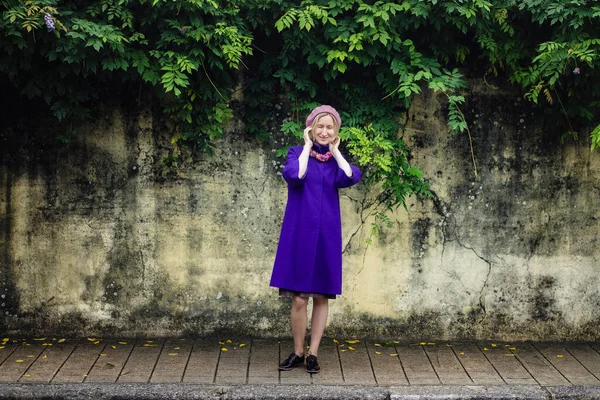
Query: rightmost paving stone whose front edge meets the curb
<point>566,364</point>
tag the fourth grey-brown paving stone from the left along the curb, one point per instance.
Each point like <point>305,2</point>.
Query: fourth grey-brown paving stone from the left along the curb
<point>108,368</point>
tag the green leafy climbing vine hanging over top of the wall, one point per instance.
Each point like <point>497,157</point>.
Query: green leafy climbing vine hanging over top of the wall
<point>369,58</point>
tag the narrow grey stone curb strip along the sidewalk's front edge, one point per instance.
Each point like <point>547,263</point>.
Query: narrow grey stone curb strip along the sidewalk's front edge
<point>160,391</point>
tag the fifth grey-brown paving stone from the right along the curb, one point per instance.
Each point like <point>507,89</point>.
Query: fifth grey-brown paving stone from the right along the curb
<point>448,368</point>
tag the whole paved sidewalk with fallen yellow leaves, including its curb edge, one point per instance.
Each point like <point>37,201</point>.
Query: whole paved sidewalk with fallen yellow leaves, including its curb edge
<point>212,368</point>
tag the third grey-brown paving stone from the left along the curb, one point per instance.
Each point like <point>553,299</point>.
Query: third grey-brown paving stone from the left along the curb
<point>80,361</point>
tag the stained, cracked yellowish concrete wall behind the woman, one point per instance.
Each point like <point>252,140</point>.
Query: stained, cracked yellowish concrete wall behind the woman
<point>101,239</point>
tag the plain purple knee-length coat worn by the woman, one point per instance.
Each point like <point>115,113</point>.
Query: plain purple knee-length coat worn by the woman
<point>309,255</point>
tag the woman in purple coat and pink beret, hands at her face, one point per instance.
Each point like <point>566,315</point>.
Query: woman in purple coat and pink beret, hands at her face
<point>308,262</point>
